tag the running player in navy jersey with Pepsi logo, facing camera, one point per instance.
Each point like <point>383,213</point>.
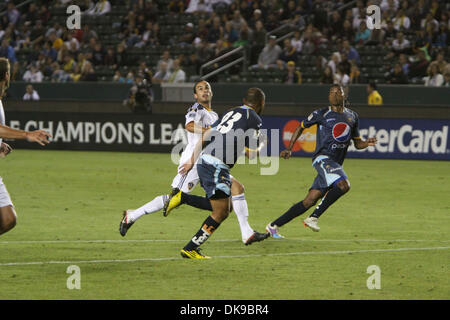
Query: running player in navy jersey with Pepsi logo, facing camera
<point>337,127</point>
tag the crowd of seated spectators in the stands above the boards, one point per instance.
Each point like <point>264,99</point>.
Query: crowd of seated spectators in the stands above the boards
<point>414,34</point>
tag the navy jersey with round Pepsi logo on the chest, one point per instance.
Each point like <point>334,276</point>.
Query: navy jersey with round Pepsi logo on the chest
<point>334,132</point>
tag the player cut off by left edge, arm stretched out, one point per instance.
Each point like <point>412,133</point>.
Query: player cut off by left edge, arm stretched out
<point>8,216</point>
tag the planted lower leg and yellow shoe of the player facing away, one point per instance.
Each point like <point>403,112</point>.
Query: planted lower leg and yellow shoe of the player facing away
<point>221,209</point>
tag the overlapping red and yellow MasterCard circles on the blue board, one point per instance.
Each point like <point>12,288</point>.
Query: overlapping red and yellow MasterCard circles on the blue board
<point>306,142</point>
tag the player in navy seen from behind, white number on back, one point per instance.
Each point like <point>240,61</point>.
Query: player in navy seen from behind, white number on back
<point>237,131</point>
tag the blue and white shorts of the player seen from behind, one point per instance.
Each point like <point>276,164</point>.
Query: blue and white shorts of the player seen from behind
<point>214,177</point>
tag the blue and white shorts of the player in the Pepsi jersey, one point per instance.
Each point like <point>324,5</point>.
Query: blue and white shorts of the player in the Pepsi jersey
<point>329,172</point>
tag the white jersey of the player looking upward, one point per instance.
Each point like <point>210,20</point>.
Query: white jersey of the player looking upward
<point>202,117</point>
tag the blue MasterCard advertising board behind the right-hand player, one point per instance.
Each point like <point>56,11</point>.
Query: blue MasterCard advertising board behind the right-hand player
<point>397,138</point>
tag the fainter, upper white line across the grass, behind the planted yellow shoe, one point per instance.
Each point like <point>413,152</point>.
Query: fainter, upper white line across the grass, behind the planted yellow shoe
<point>211,240</point>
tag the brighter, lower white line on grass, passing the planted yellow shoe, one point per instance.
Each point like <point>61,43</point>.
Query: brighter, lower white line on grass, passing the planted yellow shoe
<point>221,257</point>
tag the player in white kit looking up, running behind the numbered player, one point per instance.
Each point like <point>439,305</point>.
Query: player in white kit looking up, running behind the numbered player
<point>199,118</point>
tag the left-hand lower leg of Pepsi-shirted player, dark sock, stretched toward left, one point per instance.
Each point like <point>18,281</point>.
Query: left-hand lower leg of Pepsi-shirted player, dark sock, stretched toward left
<point>297,209</point>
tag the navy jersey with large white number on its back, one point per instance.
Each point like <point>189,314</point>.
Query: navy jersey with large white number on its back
<point>234,131</point>
